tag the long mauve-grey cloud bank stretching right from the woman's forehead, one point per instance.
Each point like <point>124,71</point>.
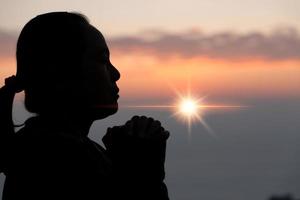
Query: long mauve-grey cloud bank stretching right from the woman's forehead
<point>279,45</point>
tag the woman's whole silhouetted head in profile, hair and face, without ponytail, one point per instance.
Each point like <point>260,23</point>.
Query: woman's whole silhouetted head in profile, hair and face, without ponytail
<point>63,64</point>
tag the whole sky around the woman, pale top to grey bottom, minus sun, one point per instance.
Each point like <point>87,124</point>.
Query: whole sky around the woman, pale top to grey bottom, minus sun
<point>244,52</point>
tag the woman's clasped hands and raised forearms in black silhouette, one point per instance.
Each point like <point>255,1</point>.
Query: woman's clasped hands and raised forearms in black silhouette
<point>138,154</point>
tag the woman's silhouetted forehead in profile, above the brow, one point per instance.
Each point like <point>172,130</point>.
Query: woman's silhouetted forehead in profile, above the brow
<point>95,40</point>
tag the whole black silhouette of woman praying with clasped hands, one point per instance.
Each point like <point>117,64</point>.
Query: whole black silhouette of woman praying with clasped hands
<point>63,66</point>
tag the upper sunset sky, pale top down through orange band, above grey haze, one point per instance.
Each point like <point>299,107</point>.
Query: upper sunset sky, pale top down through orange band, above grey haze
<point>243,49</point>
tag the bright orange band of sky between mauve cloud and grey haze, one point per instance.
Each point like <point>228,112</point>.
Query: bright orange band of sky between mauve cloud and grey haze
<point>145,75</point>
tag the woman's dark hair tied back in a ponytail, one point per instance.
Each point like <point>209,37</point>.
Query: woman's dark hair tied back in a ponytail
<point>49,48</point>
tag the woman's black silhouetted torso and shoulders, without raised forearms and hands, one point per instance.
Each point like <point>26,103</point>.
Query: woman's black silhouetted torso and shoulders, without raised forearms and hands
<point>44,163</point>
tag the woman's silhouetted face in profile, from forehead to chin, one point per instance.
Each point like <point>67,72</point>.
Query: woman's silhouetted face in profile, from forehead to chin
<point>99,74</point>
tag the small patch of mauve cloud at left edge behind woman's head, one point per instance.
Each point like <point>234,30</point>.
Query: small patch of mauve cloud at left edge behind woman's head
<point>7,44</point>
